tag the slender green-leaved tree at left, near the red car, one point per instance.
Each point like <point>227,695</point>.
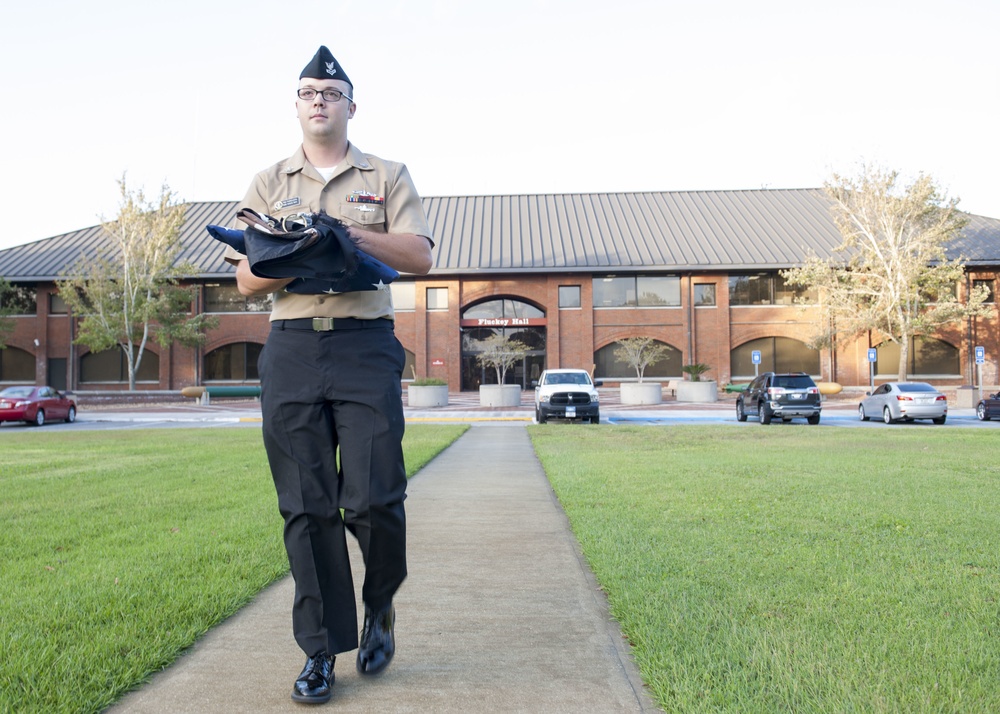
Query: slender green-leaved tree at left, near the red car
<point>128,292</point>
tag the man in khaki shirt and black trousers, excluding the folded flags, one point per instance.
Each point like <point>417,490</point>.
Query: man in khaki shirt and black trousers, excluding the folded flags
<point>331,381</point>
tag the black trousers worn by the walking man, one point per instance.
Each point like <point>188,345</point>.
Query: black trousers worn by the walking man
<point>327,395</point>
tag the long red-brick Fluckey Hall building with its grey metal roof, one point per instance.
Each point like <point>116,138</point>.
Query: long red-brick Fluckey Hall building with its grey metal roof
<point>567,274</point>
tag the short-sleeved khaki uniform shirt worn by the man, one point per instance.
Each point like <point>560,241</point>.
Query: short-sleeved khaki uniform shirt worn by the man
<point>294,186</point>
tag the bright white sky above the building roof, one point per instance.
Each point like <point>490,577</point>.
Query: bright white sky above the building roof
<point>552,96</point>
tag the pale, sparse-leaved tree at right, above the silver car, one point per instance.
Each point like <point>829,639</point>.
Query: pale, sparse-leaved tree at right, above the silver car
<point>891,274</point>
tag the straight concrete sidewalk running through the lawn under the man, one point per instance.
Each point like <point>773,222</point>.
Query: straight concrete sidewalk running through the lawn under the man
<point>499,613</point>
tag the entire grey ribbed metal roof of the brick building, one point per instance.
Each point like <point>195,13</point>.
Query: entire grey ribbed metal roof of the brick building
<point>671,231</point>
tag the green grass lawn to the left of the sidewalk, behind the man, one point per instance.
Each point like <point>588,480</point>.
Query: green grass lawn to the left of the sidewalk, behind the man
<point>117,552</point>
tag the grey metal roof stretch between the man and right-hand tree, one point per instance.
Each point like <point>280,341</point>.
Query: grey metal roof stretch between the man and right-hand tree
<point>663,231</point>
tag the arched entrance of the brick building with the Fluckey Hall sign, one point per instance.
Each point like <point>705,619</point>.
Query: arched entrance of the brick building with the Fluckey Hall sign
<point>512,318</point>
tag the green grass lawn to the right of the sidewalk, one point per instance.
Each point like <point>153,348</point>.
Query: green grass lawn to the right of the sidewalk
<point>794,569</point>
